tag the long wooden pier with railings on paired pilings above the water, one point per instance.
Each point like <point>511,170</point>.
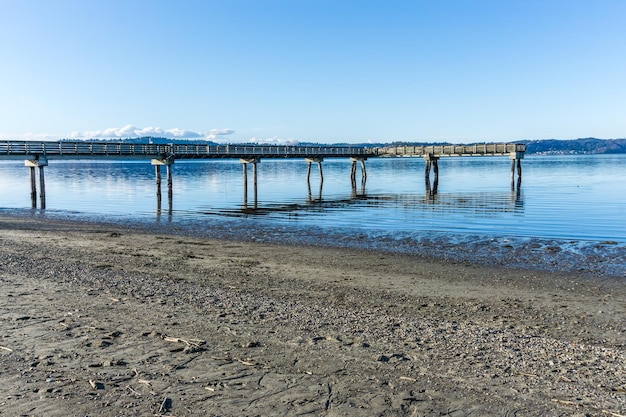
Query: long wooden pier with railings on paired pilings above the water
<point>38,154</point>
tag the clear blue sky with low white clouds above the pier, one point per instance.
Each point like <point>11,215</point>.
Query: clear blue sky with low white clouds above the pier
<point>313,70</point>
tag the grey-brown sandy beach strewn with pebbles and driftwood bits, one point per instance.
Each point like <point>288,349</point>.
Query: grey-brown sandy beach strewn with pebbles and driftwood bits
<point>107,321</point>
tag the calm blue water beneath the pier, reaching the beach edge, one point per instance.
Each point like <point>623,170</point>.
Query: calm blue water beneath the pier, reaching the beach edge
<point>577,201</point>
